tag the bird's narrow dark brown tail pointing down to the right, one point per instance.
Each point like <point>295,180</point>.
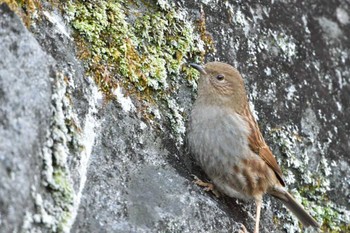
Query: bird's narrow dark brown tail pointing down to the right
<point>296,208</point>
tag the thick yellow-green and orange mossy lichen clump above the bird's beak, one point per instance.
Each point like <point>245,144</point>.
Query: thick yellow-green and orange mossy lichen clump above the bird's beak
<point>146,48</point>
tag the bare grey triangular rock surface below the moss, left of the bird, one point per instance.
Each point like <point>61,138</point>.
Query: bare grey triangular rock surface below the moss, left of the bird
<point>132,180</point>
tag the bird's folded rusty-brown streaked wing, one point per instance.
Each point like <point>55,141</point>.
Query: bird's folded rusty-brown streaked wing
<point>258,144</point>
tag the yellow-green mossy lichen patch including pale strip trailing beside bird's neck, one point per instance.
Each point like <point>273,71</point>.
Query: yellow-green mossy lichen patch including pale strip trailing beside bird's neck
<point>142,47</point>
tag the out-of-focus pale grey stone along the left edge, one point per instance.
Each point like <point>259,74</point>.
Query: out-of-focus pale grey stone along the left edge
<point>25,94</point>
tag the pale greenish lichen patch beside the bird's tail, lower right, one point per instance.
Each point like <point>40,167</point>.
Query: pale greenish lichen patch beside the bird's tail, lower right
<point>311,188</point>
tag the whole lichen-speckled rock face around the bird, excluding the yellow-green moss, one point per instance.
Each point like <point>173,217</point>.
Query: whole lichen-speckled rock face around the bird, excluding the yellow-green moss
<point>72,160</point>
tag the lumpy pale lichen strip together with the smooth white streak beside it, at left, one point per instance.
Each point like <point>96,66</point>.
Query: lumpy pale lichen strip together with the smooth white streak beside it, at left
<point>66,139</point>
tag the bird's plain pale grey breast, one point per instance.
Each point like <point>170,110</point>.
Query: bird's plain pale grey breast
<point>217,138</point>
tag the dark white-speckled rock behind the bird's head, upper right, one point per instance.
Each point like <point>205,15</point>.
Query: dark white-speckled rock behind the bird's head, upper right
<point>295,59</point>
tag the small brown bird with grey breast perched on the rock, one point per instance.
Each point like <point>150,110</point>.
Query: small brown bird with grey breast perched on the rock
<point>226,141</point>
